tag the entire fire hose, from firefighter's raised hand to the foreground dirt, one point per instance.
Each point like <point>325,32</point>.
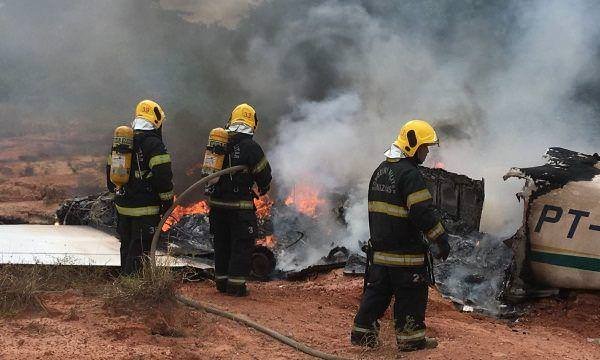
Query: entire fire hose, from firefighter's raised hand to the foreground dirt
<point>214,310</point>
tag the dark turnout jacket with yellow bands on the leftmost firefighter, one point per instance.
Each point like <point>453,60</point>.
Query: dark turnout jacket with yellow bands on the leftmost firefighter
<point>150,187</point>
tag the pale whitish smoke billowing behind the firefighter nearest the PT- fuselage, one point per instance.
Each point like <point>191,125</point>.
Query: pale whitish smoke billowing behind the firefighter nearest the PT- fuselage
<point>510,114</point>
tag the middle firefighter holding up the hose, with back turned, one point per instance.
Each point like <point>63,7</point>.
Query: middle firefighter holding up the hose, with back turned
<point>232,212</point>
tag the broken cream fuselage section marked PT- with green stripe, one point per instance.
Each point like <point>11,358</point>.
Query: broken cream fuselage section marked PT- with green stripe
<point>559,242</point>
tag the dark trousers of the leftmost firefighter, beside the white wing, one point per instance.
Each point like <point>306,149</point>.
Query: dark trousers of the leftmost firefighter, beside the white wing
<point>136,237</point>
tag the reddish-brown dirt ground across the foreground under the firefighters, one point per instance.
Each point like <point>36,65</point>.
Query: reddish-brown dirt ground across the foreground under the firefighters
<point>318,312</point>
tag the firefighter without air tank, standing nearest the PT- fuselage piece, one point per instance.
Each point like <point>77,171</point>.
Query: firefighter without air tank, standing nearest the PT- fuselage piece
<point>400,212</point>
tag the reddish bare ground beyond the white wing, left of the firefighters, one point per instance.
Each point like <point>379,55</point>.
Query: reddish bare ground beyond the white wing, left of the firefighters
<point>37,172</point>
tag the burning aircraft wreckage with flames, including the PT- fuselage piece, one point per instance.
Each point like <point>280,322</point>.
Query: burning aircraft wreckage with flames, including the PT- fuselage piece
<point>556,247</point>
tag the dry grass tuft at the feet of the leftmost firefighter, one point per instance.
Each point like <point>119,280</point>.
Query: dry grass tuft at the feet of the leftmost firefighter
<point>152,285</point>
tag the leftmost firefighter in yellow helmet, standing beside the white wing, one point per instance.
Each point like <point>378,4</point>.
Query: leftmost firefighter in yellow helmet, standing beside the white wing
<point>148,193</point>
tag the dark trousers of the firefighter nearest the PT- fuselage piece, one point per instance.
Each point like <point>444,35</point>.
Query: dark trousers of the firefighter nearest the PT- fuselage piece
<point>409,287</point>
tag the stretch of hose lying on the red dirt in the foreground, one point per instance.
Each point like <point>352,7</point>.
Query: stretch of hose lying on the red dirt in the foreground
<point>272,333</point>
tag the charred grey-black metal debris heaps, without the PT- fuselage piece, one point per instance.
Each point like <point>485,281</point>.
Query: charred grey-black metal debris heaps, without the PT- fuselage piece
<point>474,275</point>
